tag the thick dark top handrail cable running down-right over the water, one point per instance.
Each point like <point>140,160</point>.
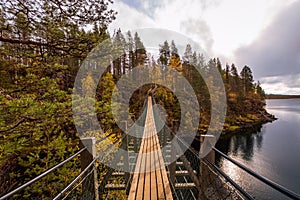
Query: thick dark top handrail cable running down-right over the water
<point>270,183</point>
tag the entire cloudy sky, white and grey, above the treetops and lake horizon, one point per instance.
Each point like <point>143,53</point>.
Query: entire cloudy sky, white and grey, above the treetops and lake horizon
<point>263,34</point>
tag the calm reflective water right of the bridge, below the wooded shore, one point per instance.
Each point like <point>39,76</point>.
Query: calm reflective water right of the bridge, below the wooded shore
<point>273,152</point>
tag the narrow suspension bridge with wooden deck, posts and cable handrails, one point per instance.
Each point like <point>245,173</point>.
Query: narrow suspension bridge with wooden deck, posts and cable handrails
<point>161,170</point>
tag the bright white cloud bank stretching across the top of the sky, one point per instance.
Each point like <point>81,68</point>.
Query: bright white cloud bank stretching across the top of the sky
<point>230,23</point>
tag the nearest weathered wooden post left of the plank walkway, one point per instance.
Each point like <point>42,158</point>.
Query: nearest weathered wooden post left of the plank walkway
<point>90,184</point>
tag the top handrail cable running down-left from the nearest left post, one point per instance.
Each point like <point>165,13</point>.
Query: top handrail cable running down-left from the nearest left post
<point>41,175</point>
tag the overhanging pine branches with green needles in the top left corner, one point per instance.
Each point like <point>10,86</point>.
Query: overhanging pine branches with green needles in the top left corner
<point>51,21</point>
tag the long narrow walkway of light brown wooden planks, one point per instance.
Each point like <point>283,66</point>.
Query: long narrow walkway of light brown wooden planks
<point>150,180</point>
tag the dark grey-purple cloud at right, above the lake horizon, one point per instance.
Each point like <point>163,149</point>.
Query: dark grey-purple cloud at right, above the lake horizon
<point>276,52</point>
